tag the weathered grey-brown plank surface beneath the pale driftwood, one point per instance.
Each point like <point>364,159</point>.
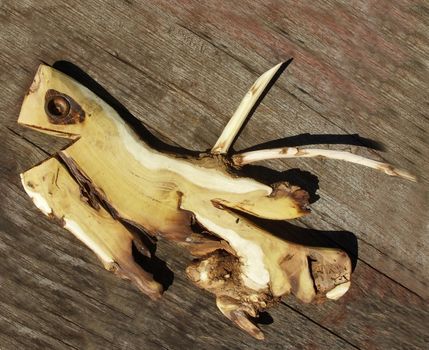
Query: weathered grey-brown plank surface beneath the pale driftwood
<point>360,70</point>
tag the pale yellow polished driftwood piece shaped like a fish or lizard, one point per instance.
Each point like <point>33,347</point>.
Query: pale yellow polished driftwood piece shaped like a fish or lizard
<point>109,177</point>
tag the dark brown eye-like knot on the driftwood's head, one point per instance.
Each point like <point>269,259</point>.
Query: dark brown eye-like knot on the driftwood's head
<point>62,109</point>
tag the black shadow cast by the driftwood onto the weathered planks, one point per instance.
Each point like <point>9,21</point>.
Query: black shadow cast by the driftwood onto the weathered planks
<point>304,179</point>
